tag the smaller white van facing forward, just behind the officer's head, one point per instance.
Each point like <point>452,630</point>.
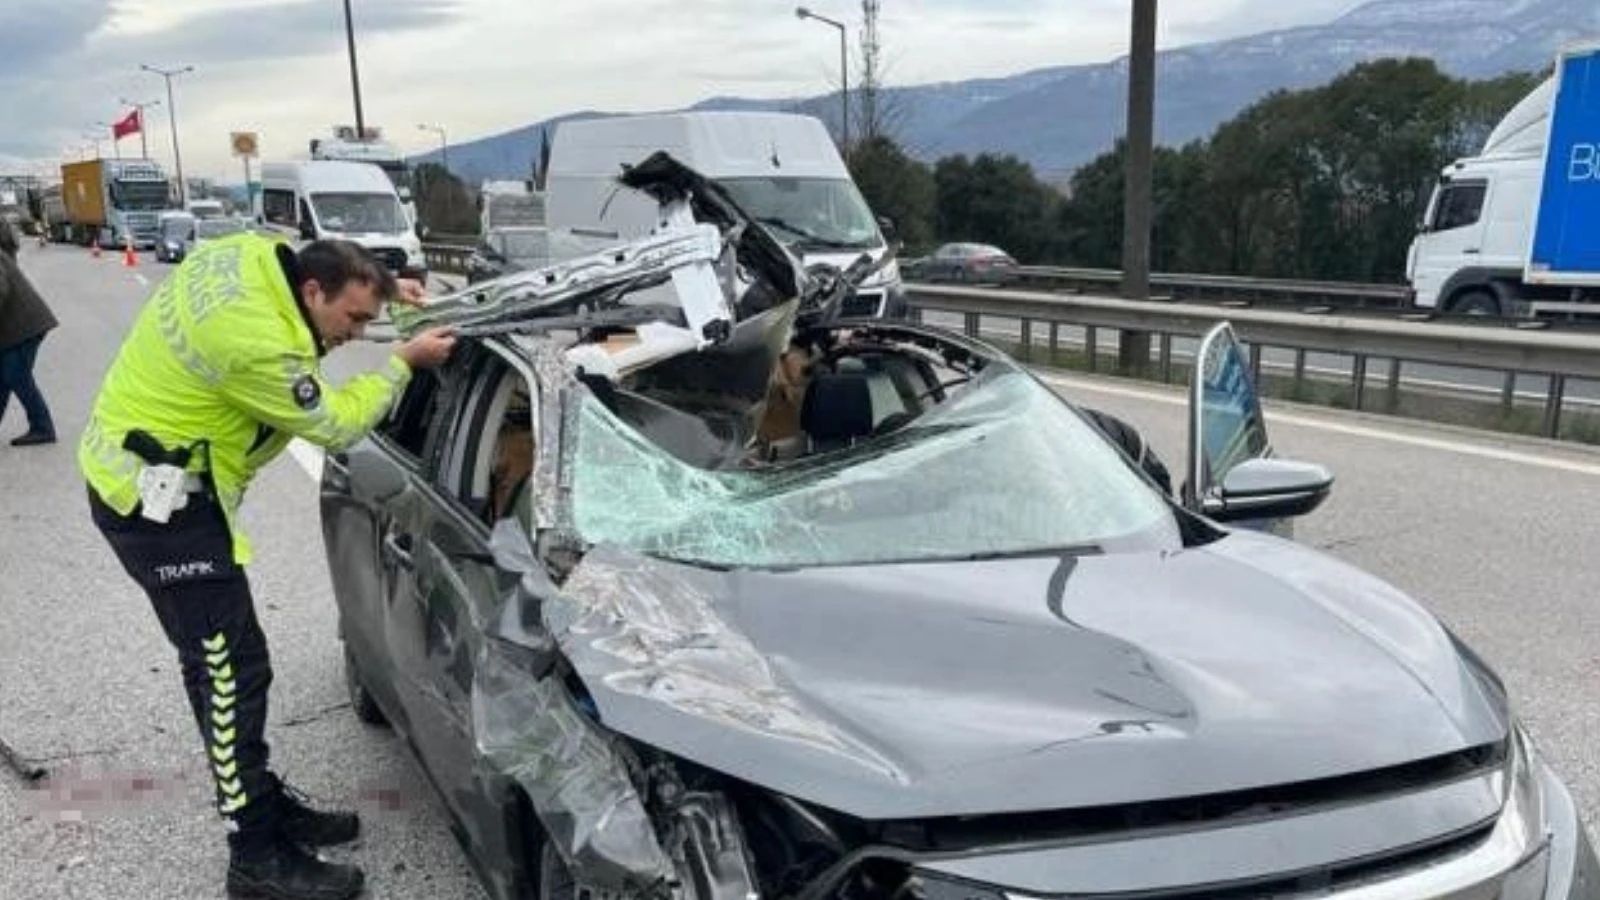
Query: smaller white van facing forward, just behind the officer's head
<point>348,201</point>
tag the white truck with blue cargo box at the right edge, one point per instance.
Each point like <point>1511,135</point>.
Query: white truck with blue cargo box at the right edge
<point>1516,230</point>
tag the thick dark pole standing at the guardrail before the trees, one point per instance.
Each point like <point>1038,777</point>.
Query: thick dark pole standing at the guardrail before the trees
<point>1135,347</point>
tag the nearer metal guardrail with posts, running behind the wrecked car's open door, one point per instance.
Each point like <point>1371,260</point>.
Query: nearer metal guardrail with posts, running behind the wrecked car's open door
<point>1486,345</point>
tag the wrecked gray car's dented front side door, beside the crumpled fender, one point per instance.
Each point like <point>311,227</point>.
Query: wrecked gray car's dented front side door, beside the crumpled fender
<point>454,589</point>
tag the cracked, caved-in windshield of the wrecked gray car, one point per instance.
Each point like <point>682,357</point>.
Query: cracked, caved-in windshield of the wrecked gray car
<point>1004,468</point>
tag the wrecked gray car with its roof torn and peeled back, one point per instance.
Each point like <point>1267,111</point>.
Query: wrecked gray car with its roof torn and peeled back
<point>684,595</point>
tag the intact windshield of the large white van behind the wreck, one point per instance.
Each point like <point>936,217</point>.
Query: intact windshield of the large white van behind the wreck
<point>810,214</point>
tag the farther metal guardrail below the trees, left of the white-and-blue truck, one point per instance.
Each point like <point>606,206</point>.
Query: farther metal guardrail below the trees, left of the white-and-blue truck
<point>1230,287</point>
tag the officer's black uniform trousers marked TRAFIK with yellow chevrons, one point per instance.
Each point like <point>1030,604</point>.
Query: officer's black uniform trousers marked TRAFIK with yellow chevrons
<point>206,608</point>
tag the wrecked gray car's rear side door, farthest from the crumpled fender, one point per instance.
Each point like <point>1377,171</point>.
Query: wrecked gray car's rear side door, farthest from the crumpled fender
<point>364,492</point>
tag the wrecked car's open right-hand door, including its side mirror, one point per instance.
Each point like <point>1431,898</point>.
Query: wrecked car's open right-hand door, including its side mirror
<point>1233,470</point>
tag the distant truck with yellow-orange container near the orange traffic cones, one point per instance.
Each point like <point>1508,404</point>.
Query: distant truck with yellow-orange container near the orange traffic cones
<point>114,201</point>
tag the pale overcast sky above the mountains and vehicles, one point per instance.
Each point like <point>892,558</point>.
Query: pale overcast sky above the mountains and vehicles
<point>487,66</point>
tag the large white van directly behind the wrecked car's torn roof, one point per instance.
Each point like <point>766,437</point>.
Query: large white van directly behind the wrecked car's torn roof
<point>782,169</point>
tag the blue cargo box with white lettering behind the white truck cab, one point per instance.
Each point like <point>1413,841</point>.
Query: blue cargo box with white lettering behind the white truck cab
<point>1567,236</point>
